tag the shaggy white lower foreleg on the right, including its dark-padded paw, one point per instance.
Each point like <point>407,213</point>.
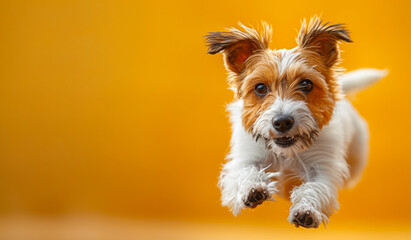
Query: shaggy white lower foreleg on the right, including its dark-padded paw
<point>314,201</point>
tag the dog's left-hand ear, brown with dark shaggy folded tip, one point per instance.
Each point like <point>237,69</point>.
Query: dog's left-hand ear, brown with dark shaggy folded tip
<point>238,45</point>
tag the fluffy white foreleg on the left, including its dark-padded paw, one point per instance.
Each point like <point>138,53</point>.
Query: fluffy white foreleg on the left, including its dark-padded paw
<point>245,185</point>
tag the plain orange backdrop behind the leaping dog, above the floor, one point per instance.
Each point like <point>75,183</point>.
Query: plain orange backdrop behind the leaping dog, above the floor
<point>114,107</point>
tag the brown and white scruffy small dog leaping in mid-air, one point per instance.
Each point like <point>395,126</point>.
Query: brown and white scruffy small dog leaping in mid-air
<point>294,134</point>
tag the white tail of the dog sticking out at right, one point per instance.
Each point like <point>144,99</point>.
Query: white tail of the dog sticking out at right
<point>357,80</point>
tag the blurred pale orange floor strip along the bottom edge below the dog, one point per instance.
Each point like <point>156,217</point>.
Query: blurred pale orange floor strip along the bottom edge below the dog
<point>105,228</point>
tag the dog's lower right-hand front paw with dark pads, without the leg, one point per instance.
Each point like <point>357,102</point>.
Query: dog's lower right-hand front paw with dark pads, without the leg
<point>305,216</point>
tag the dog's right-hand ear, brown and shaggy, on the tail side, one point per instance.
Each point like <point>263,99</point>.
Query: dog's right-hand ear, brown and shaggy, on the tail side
<point>323,39</point>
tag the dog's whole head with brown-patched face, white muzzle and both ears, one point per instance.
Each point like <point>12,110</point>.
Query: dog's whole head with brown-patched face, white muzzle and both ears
<point>288,95</point>
